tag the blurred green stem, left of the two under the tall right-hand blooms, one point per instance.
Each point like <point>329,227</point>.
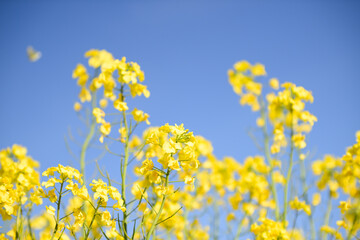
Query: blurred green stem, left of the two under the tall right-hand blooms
<point>268,157</point>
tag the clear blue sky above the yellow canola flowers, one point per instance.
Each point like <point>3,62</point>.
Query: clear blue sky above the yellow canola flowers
<point>185,49</point>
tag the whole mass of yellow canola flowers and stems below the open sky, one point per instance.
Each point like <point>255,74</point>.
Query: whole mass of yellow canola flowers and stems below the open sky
<point>170,183</point>
